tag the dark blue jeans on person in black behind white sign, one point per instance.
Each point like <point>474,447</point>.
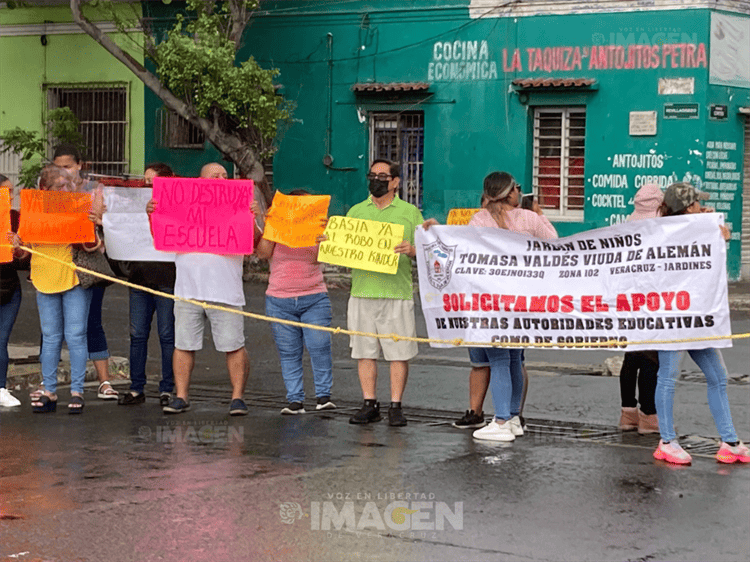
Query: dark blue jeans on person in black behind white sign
<point>142,308</point>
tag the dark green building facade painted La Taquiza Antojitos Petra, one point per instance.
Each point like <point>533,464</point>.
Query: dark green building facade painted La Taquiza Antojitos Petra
<point>582,102</point>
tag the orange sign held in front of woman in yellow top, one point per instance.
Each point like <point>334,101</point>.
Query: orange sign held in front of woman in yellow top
<point>55,217</point>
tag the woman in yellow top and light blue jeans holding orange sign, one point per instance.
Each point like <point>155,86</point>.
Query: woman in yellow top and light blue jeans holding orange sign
<point>63,309</point>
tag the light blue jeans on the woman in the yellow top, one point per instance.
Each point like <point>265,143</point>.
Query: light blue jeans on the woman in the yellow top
<point>64,315</point>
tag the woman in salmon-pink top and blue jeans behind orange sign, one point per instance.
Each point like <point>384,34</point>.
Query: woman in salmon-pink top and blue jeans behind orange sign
<point>297,291</point>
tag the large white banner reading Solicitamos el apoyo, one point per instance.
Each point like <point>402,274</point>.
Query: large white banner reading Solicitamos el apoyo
<point>658,279</point>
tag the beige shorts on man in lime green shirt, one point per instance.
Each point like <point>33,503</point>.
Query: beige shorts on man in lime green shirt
<point>382,316</point>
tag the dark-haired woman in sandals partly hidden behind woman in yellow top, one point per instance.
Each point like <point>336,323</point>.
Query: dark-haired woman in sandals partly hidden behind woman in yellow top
<point>68,157</point>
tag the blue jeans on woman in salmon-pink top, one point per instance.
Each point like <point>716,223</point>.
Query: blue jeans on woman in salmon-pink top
<point>310,309</point>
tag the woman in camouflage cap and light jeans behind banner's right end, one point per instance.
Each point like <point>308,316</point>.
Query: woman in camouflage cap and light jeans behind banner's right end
<point>683,199</point>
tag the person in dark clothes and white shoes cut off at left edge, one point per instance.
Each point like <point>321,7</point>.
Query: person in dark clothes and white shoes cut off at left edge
<point>10,301</point>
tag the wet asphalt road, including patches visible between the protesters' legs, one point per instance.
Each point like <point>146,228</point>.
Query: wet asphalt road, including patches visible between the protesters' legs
<point>132,484</point>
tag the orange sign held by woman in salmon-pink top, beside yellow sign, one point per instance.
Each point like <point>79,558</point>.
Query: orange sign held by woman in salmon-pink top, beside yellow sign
<point>296,220</point>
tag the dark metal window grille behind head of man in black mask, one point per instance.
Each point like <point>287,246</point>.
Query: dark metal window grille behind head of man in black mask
<point>399,137</point>
